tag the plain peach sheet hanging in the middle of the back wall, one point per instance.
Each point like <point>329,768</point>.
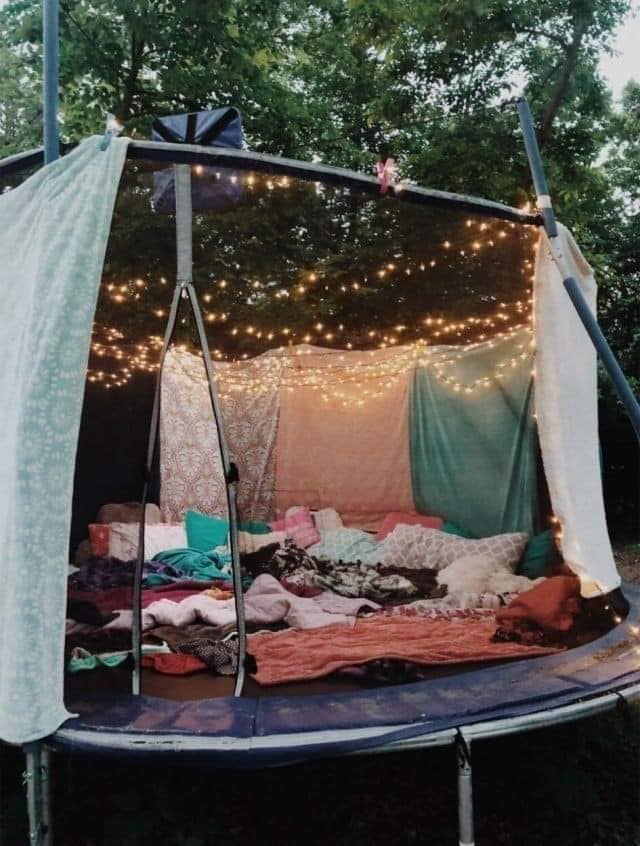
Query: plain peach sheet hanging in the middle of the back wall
<point>345,445</point>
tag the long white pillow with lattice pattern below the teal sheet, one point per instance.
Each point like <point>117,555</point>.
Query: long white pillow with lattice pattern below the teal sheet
<point>415,546</point>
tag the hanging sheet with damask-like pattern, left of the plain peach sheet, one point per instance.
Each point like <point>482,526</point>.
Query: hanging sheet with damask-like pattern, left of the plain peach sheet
<point>190,467</point>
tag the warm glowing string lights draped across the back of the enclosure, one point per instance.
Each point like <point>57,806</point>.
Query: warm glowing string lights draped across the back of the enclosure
<point>418,341</point>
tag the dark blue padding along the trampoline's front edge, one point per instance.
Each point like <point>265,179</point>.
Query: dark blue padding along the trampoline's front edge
<point>427,707</point>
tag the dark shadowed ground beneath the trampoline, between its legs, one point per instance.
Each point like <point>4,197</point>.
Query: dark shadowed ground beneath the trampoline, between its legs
<point>575,785</point>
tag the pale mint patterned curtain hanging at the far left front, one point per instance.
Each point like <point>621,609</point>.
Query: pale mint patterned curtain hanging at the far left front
<point>53,234</point>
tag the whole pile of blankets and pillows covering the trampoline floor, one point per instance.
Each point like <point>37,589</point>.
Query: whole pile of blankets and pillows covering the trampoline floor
<point>320,598</point>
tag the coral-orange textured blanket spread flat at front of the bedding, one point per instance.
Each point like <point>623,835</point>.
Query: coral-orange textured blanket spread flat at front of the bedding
<point>296,655</point>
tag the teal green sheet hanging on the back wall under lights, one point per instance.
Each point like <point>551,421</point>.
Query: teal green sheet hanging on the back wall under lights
<point>473,443</point>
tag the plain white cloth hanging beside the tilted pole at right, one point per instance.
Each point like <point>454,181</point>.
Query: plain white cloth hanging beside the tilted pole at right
<point>567,413</point>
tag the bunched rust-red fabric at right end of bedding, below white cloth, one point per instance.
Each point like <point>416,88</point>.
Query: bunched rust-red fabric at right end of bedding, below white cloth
<point>552,605</point>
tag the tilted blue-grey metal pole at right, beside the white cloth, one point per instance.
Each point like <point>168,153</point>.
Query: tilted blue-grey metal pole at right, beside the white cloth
<point>587,318</point>
